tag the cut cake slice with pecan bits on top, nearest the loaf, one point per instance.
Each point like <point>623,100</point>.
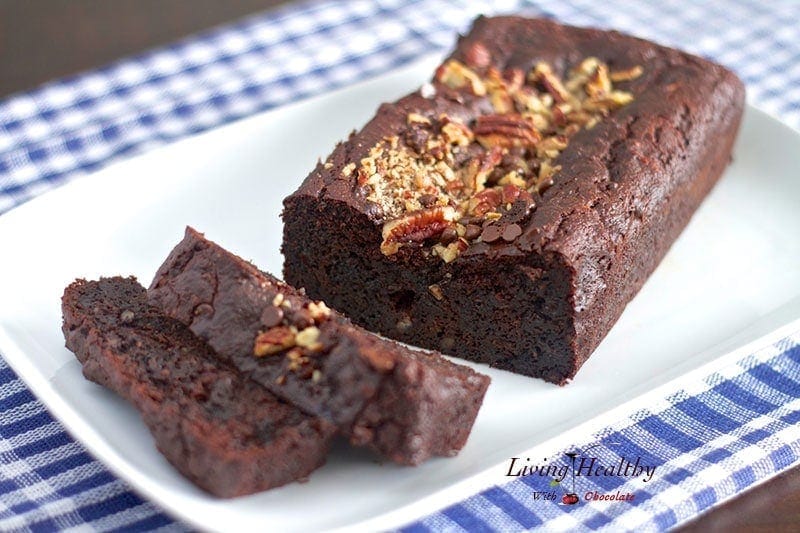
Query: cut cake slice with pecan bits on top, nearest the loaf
<point>405,404</point>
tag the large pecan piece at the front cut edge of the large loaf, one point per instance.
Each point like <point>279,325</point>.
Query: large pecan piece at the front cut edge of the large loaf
<point>416,227</point>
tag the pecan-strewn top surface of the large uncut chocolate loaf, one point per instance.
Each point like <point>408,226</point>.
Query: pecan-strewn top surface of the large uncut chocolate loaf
<point>528,125</point>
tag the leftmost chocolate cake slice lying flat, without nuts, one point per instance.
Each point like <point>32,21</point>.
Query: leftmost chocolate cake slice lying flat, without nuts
<point>225,433</point>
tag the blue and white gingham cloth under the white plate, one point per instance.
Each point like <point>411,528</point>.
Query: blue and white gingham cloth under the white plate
<point>712,439</point>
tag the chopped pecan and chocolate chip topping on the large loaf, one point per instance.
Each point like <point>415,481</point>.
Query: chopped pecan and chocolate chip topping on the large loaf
<point>448,183</point>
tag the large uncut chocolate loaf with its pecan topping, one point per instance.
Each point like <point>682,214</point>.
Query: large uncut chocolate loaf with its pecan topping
<point>509,210</point>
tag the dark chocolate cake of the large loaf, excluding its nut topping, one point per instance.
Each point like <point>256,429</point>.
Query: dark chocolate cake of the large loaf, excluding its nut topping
<point>541,304</point>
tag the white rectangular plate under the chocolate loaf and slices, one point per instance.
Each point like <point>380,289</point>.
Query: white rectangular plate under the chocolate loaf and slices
<point>731,277</point>
